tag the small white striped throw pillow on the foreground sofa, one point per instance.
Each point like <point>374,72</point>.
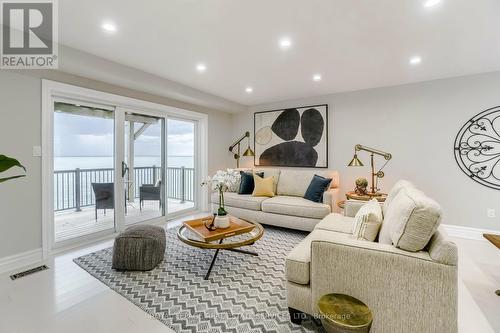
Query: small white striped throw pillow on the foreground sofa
<point>367,221</point>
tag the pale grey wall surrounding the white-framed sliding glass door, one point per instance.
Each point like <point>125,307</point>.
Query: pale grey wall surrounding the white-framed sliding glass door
<point>20,130</point>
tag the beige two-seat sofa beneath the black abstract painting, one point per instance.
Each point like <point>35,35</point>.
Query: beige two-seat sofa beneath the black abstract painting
<point>288,208</point>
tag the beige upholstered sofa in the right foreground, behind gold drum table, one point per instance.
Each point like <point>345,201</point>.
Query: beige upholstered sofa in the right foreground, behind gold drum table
<point>406,291</point>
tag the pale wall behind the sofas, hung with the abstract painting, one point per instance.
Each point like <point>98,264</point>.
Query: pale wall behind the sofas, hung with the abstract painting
<point>417,123</point>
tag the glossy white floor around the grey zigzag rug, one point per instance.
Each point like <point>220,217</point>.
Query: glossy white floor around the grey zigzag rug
<point>67,299</point>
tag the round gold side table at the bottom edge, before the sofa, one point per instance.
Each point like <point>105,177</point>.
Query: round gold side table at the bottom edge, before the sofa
<point>344,314</point>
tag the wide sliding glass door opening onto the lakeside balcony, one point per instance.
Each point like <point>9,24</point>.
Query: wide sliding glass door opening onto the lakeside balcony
<point>113,167</point>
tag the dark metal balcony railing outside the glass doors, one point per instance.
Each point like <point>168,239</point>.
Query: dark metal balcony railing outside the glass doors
<point>73,188</point>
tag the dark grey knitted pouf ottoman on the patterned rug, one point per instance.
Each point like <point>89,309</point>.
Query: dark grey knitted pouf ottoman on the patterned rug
<point>139,248</point>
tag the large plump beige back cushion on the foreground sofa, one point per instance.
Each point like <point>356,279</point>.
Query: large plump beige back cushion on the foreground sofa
<point>412,219</point>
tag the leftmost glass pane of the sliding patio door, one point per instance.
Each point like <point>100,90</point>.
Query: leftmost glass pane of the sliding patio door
<point>84,174</point>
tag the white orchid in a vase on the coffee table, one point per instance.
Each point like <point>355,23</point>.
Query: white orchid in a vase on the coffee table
<point>221,182</point>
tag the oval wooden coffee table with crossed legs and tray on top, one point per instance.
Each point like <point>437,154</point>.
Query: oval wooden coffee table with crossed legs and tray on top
<point>240,233</point>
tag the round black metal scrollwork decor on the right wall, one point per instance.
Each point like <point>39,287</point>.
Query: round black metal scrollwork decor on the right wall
<point>477,148</point>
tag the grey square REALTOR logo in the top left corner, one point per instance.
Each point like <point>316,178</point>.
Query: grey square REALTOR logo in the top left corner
<point>29,36</point>
